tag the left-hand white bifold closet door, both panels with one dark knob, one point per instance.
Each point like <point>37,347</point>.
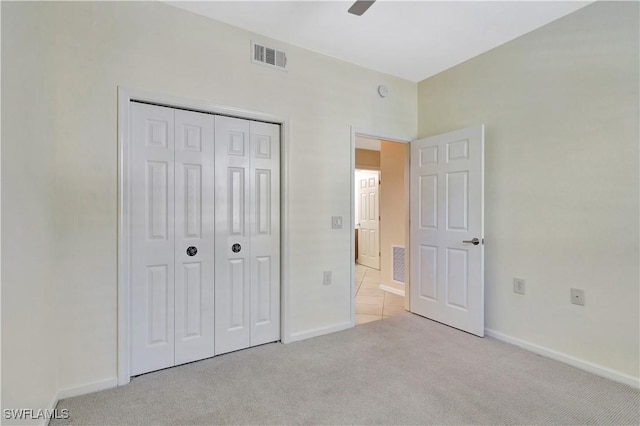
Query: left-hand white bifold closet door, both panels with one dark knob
<point>172,251</point>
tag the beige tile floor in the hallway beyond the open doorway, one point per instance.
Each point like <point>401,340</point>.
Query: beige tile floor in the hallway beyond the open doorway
<point>372,303</point>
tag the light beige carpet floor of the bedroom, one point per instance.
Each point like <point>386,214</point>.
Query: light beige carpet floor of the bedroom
<point>401,370</point>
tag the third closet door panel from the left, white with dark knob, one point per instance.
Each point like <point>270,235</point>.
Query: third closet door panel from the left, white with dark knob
<point>233,229</point>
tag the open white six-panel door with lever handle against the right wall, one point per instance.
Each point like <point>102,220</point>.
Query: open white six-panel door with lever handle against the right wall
<point>447,230</point>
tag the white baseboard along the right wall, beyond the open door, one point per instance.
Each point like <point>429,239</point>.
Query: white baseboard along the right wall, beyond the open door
<point>590,367</point>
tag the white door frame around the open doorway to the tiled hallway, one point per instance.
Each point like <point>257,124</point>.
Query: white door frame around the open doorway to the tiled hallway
<point>355,131</point>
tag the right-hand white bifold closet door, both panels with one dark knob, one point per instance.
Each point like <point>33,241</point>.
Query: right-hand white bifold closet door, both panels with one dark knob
<point>247,291</point>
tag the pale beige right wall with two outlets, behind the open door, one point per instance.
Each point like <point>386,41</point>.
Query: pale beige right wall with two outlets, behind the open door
<point>561,111</point>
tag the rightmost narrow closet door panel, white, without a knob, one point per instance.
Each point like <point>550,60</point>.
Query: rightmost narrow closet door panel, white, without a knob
<point>265,232</point>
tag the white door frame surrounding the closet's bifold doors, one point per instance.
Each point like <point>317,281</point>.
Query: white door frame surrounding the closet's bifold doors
<point>125,96</point>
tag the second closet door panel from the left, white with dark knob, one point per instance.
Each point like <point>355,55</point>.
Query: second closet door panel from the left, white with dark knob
<point>194,233</point>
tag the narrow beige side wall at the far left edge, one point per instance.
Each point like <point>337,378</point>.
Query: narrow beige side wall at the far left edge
<point>29,252</point>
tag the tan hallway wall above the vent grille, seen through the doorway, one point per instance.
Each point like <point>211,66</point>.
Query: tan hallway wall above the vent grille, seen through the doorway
<point>392,205</point>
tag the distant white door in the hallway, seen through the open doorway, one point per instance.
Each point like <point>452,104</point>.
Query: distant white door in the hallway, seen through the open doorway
<point>369,219</point>
